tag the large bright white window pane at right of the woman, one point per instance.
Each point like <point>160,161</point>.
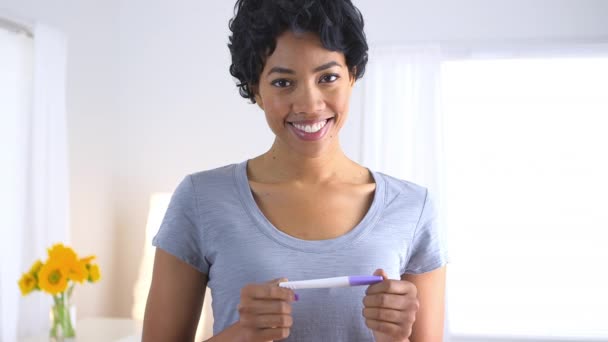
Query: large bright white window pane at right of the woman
<point>527,196</point>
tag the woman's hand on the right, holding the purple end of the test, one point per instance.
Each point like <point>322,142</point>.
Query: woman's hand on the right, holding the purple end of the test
<point>390,308</point>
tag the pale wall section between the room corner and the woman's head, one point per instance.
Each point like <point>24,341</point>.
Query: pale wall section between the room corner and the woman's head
<point>180,111</point>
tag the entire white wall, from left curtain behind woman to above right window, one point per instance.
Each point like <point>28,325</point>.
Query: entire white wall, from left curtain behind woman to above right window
<point>150,99</point>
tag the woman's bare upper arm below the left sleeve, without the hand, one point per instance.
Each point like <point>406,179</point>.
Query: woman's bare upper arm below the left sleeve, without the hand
<point>175,300</point>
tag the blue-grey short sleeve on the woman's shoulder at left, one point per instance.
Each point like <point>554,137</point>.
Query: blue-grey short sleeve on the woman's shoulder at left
<point>180,233</point>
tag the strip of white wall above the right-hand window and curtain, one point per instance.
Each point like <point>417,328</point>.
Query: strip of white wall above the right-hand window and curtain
<point>393,21</point>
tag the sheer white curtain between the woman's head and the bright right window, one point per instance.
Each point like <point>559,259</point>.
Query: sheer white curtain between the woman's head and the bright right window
<point>402,126</point>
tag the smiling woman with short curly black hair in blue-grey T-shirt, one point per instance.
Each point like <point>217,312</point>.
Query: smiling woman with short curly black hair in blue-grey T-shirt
<point>301,210</point>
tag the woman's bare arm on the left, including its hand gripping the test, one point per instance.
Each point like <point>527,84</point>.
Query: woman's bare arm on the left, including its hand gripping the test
<point>176,299</point>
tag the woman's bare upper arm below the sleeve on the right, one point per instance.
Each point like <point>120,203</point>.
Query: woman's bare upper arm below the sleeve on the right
<point>428,326</point>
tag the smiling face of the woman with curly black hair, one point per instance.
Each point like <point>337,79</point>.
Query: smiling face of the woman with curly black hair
<point>304,90</point>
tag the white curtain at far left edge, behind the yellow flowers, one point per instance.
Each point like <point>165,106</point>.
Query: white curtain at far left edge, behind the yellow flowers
<point>34,197</point>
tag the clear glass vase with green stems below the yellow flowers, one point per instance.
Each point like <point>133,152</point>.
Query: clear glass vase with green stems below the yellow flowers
<point>63,319</point>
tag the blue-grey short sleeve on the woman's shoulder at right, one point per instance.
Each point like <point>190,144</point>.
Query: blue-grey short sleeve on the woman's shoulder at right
<point>427,251</point>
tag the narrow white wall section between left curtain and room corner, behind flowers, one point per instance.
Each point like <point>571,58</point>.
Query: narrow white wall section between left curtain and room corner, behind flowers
<point>92,102</point>
